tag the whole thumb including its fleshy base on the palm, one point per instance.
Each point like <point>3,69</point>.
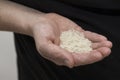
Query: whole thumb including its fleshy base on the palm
<point>52,52</point>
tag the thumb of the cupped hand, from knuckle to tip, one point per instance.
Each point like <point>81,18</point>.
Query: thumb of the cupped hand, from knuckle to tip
<point>56,54</point>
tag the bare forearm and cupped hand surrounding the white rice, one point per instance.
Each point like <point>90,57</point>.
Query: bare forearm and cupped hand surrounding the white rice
<point>46,28</point>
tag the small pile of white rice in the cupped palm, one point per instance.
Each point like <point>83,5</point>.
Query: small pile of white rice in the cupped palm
<point>75,41</point>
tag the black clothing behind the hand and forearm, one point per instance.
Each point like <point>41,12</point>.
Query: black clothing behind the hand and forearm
<point>101,16</point>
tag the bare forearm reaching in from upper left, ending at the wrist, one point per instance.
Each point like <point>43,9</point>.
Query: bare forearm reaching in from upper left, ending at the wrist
<point>17,18</point>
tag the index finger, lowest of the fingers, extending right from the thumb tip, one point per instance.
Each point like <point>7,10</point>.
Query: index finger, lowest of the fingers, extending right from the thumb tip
<point>87,58</point>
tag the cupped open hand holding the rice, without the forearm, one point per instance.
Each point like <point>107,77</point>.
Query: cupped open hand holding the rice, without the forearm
<point>47,33</point>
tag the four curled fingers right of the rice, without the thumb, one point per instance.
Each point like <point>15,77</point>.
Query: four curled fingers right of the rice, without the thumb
<point>101,49</point>
